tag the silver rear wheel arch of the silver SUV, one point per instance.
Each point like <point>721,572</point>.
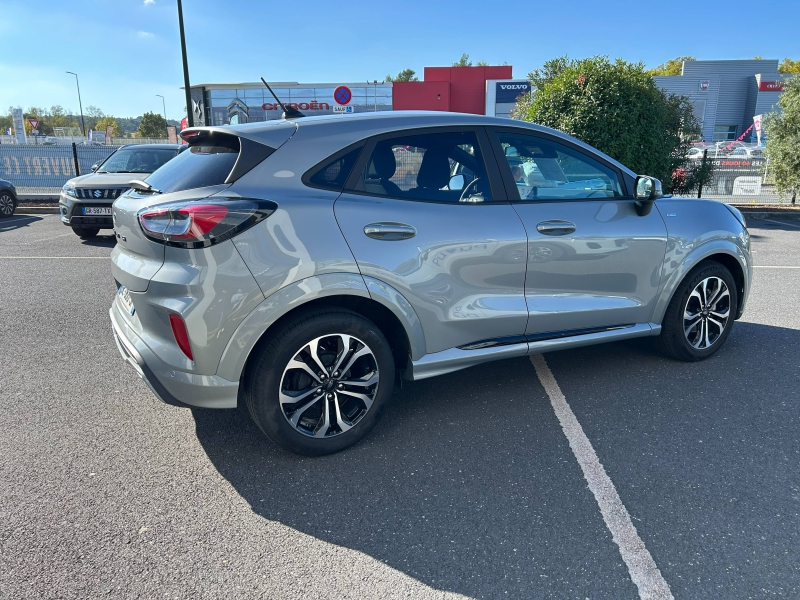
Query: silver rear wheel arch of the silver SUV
<point>345,291</point>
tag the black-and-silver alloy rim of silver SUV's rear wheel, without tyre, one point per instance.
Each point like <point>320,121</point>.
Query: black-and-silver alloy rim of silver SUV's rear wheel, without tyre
<point>329,385</point>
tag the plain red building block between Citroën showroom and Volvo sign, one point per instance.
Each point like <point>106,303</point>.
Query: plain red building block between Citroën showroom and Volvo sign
<point>457,89</point>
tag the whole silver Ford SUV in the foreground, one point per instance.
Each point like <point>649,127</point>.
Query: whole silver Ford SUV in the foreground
<point>298,265</point>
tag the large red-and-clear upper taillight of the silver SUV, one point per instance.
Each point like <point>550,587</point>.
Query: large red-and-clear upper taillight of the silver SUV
<point>201,223</point>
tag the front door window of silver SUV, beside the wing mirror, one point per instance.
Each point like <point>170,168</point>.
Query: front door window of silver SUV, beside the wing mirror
<point>545,170</point>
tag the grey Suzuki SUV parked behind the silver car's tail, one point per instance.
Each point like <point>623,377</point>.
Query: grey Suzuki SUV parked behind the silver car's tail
<point>85,201</point>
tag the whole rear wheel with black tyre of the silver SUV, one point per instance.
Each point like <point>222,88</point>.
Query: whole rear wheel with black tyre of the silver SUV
<point>279,374</point>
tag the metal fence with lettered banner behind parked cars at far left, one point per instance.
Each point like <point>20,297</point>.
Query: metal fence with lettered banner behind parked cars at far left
<point>45,169</point>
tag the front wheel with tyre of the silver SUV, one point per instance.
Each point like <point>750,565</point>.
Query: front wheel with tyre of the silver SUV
<point>700,315</point>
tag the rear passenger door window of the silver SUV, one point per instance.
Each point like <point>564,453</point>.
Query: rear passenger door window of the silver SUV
<point>442,167</point>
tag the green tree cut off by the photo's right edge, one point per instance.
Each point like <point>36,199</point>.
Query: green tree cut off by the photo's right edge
<point>783,139</point>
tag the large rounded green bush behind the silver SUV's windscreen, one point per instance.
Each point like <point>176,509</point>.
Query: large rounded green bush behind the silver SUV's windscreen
<point>617,108</point>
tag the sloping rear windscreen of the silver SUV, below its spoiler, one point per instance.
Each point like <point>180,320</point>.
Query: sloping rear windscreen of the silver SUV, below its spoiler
<point>198,166</point>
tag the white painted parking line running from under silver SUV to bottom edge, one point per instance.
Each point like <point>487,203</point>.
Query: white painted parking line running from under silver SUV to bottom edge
<point>641,566</point>
